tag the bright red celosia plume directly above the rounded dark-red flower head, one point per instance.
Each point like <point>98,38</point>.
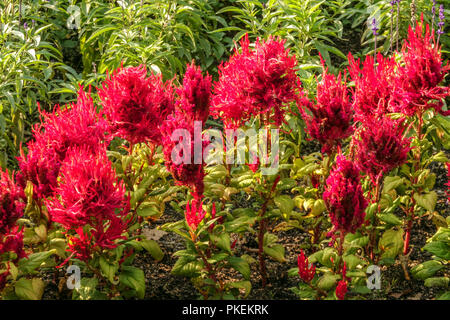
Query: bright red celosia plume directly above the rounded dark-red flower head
<point>374,86</point>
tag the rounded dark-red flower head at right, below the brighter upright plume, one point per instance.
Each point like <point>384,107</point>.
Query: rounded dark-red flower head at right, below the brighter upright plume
<point>380,146</point>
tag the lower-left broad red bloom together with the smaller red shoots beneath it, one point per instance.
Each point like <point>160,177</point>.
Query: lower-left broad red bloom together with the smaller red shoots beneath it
<point>87,202</point>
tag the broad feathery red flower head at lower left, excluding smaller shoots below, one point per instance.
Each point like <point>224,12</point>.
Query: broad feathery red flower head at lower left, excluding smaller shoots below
<point>88,191</point>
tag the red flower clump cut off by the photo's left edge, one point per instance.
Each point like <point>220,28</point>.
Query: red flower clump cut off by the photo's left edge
<point>11,209</point>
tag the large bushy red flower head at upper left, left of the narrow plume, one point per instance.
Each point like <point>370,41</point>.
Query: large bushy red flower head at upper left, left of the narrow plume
<point>135,105</point>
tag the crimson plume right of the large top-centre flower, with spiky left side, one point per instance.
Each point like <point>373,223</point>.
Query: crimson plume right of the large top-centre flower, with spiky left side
<point>331,117</point>
